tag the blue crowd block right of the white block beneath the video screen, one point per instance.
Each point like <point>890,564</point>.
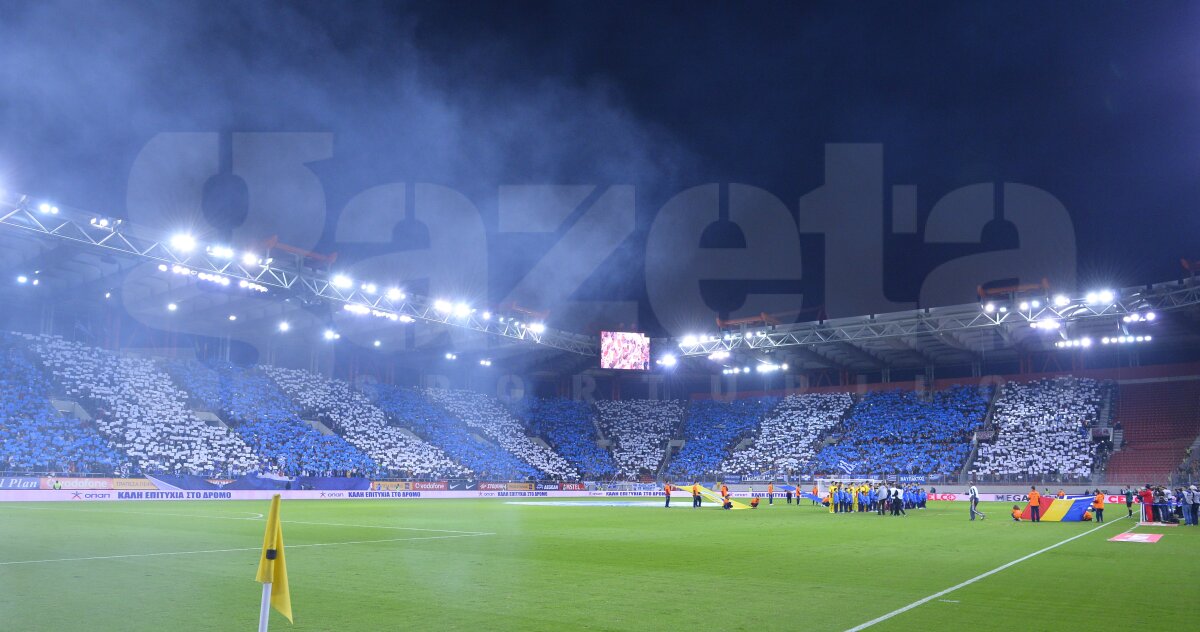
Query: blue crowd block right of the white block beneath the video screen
<point>712,431</point>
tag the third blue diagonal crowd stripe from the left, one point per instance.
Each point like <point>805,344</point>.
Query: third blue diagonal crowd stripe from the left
<point>410,408</point>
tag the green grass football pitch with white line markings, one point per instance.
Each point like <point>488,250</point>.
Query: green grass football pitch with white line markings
<point>491,564</point>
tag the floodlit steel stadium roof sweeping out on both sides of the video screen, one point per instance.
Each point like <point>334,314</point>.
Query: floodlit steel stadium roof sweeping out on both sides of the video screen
<point>956,335</point>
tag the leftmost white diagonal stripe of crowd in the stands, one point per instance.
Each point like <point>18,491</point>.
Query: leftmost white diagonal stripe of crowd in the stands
<point>142,413</point>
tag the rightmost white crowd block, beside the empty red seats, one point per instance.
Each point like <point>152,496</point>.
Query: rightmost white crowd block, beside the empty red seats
<point>1043,431</point>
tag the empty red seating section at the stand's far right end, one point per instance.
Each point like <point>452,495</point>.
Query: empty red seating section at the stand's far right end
<point>1160,420</point>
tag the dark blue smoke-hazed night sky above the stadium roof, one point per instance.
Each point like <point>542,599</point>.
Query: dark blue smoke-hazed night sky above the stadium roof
<point>1095,104</point>
